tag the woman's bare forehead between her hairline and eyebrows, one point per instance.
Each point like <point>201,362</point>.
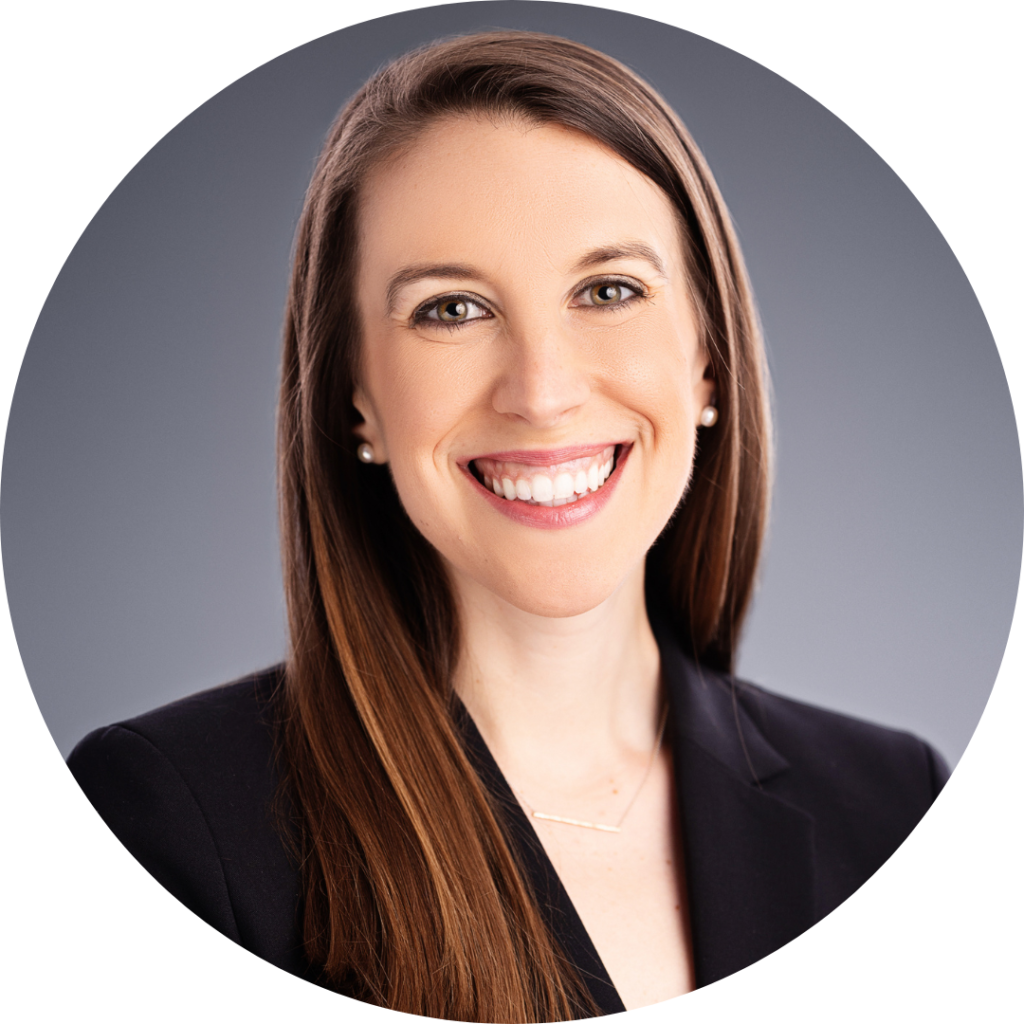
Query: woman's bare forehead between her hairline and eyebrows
<point>473,188</point>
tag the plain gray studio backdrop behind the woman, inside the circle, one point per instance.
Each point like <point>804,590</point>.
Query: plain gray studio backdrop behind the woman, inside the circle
<point>139,511</point>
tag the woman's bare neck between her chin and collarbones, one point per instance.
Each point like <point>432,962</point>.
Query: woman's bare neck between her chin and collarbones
<point>576,691</point>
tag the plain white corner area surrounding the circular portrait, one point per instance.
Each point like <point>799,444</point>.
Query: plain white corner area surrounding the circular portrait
<point>90,89</point>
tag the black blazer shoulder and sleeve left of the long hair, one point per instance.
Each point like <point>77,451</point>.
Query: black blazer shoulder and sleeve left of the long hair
<point>192,790</point>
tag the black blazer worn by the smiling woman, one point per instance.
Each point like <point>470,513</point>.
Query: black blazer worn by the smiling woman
<point>786,810</point>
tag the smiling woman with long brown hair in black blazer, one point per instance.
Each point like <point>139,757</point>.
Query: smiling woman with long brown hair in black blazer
<point>506,774</point>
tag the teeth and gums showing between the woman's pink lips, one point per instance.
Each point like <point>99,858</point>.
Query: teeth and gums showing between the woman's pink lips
<point>551,486</point>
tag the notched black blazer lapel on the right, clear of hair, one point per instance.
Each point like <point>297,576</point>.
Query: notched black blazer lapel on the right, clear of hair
<point>750,857</point>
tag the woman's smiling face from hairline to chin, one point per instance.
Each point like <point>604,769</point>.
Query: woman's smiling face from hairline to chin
<point>531,369</point>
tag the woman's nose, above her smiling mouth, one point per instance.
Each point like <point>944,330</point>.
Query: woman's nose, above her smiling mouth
<point>545,378</point>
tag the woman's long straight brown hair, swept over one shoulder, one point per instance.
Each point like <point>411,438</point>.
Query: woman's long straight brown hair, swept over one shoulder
<point>412,897</point>
